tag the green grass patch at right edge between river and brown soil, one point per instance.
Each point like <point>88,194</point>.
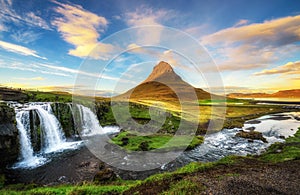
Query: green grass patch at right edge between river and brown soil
<point>280,152</point>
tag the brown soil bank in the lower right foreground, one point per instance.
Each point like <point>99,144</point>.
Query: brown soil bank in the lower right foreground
<point>248,176</point>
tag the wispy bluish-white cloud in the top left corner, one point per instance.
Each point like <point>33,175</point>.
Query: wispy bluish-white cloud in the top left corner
<point>8,14</point>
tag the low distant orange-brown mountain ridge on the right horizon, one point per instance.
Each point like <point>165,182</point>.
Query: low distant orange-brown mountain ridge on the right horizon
<point>293,93</point>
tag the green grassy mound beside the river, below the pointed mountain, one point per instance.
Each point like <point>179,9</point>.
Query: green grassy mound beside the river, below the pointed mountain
<point>134,142</point>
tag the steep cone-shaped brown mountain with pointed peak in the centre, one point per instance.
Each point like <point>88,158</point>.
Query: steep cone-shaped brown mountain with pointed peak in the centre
<point>161,84</point>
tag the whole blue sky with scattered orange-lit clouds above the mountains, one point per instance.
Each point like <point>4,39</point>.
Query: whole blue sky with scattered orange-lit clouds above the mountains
<point>111,46</point>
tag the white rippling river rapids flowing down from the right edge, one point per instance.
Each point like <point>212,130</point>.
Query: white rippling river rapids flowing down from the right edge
<point>274,128</point>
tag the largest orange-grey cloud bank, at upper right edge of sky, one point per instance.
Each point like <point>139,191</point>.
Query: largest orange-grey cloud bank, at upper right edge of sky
<point>255,45</point>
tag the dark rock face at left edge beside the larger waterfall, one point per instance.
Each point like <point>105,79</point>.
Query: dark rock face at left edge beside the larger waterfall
<point>9,141</point>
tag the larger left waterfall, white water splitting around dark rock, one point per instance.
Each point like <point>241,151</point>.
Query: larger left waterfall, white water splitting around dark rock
<point>52,135</point>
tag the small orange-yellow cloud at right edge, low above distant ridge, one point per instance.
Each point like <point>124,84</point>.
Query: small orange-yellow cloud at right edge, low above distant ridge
<point>290,68</point>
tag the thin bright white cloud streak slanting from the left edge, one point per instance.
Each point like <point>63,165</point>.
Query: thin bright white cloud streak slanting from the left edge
<point>19,49</point>
